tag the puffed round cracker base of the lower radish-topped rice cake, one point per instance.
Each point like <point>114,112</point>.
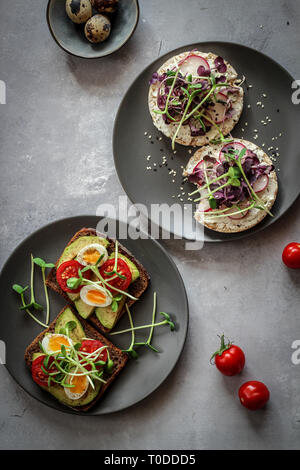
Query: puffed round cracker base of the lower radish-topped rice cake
<point>254,216</point>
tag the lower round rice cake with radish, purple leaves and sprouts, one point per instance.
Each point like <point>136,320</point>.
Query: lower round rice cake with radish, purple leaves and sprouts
<point>236,185</point>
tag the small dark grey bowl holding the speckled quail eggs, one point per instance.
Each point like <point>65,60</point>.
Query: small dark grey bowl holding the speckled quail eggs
<point>70,37</point>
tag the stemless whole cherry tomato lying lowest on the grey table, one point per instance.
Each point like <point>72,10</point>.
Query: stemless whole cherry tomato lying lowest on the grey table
<point>254,395</point>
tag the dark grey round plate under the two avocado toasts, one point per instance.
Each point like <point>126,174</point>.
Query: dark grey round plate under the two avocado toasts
<point>140,377</point>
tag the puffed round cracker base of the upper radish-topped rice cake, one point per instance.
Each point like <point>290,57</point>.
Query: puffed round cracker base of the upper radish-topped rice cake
<point>184,136</point>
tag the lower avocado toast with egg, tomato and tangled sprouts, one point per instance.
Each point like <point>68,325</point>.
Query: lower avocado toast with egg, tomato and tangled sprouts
<point>74,362</point>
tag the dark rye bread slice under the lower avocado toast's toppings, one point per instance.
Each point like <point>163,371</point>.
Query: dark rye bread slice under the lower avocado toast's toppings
<point>119,357</point>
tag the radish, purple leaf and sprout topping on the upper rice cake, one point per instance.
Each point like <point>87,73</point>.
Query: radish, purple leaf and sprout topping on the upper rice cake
<point>194,94</point>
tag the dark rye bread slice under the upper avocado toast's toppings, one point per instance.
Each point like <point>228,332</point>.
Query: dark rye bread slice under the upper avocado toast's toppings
<point>136,288</point>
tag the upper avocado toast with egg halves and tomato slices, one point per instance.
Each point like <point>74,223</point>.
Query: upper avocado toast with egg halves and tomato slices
<point>98,275</point>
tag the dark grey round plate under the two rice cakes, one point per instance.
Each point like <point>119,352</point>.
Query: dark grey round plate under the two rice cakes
<point>131,145</point>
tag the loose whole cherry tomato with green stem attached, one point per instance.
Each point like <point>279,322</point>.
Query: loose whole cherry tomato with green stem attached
<point>229,359</point>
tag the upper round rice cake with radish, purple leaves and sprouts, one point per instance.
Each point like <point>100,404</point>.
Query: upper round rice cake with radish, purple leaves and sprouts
<point>194,98</point>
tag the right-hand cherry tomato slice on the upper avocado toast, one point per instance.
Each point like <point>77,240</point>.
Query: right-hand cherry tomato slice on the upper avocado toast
<point>121,283</point>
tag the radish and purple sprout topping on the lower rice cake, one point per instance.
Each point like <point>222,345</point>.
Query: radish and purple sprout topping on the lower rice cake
<point>229,185</point>
